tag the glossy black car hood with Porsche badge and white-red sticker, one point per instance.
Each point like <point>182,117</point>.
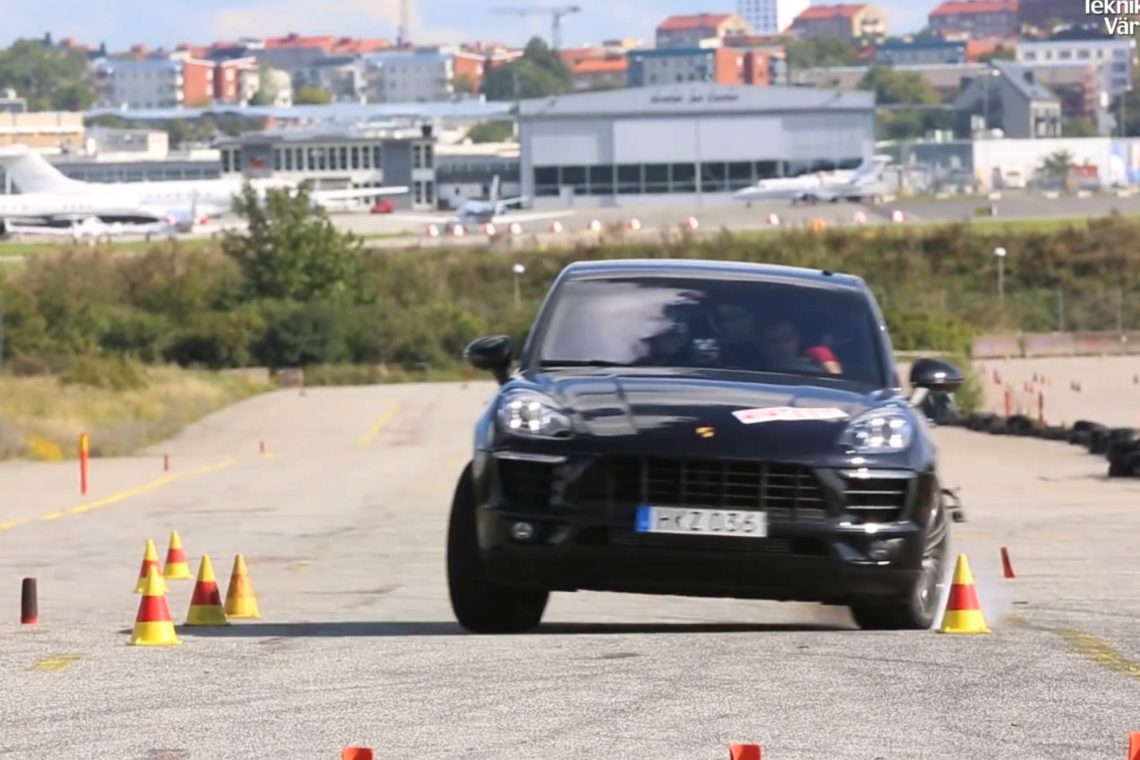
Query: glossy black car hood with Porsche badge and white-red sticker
<point>697,416</point>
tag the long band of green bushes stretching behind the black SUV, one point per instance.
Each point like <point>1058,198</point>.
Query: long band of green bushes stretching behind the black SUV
<point>295,292</point>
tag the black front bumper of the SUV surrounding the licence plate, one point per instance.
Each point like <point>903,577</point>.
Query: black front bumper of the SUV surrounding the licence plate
<point>835,536</point>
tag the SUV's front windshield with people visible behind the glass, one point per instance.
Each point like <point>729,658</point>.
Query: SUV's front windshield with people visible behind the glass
<point>722,324</point>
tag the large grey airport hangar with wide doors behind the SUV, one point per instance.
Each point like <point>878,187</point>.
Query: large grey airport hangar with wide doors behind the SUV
<point>680,143</point>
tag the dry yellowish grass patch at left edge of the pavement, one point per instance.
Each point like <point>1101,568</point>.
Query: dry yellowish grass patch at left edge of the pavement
<point>43,418</point>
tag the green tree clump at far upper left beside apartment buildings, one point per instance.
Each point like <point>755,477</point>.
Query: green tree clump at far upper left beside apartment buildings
<point>52,79</point>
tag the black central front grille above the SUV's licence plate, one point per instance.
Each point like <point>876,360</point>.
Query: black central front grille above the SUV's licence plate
<point>781,491</point>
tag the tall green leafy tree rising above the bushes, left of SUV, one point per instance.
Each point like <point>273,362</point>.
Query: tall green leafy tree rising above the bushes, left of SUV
<point>292,252</point>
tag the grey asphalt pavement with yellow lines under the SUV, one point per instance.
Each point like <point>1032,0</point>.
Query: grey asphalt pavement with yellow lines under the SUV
<point>339,499</point>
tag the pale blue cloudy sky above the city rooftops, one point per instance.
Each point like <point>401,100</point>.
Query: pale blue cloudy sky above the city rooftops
<point>123,23</point>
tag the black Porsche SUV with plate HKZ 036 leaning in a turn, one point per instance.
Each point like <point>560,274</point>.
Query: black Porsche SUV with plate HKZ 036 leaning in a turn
<point>702,429</point>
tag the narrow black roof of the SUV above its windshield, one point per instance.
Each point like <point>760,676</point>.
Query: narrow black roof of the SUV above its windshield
<point>715,268</point>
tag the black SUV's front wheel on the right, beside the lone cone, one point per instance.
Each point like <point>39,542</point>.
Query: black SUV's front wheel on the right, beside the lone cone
<point>921,609</point>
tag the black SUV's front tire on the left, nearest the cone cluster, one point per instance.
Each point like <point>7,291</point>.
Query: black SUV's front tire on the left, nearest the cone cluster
<point>479,606</point>
